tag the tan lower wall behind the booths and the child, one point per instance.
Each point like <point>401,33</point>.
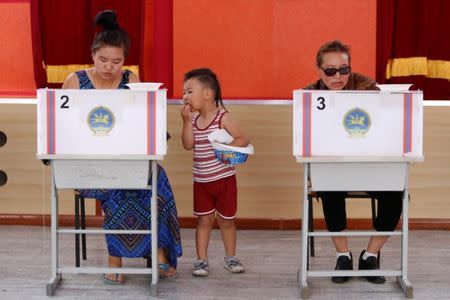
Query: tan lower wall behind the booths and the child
<point>270,183</point>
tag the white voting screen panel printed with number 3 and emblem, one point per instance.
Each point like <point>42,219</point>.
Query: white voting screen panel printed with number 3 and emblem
<point>357,123</point>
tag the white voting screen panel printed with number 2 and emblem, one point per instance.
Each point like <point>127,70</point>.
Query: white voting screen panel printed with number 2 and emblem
<point>101,122</point>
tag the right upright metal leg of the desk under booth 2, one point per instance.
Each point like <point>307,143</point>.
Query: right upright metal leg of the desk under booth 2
<point>154,224</point>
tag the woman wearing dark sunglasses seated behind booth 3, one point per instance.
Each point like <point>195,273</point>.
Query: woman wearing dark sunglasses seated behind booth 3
<point>333,65</point>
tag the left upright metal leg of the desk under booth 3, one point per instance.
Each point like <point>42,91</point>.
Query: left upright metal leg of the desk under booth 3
<point>302,273</point>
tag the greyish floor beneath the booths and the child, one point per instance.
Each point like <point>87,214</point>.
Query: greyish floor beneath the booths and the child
<point>271,258</point>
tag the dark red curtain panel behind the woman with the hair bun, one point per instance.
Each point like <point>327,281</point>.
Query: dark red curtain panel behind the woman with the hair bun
<point>67,28</point>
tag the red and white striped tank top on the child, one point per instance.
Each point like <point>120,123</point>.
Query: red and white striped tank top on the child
<point>207,167</point>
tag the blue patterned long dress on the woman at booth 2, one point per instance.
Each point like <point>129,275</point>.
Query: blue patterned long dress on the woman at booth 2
<point>130,209</point>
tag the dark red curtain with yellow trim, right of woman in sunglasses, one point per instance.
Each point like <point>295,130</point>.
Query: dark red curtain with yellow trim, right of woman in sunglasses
<point>413,45</point>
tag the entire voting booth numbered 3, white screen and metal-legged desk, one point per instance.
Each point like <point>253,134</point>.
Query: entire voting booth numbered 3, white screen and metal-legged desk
<point>356,141</point>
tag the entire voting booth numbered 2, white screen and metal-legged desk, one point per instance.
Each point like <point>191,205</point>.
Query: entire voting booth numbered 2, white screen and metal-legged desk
<point>105,139</point>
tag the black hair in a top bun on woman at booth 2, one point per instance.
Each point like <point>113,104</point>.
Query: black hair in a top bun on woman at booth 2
<point>111,34</point>
